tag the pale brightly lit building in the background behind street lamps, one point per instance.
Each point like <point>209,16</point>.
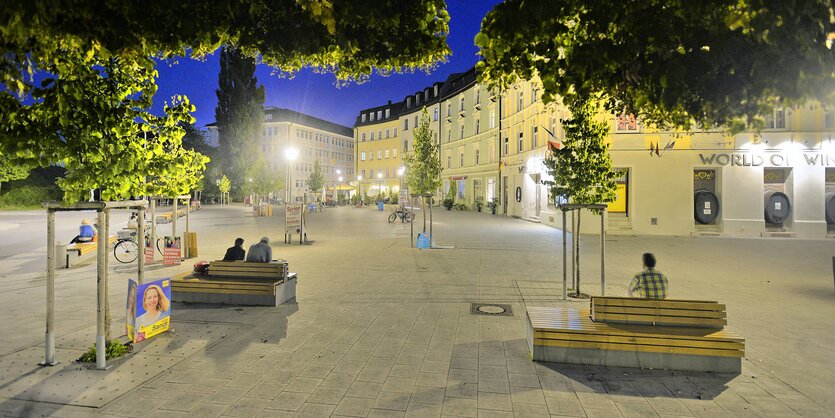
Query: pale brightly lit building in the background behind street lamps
<point>313,139</point>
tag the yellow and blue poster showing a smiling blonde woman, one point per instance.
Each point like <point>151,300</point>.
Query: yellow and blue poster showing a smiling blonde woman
<point>148,309</point>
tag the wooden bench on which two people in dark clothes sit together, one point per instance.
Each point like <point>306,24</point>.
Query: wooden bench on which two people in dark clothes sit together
<point>237,283</point>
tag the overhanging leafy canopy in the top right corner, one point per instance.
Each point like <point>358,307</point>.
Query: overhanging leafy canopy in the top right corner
<point>715,62</point>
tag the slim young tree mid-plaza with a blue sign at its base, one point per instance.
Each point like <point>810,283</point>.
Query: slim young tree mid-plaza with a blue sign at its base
<point>423,163</point>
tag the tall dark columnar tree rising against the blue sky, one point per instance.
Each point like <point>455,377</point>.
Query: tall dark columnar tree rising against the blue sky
<point>239,116</point>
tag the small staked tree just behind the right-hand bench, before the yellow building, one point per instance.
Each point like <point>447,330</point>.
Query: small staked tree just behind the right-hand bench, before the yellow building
<point>581,167</point>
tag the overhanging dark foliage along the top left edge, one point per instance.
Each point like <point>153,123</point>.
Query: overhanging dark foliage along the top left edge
<point>346,37</point>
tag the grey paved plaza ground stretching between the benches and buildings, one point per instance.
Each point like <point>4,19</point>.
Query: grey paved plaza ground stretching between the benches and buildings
<point>381,329</point>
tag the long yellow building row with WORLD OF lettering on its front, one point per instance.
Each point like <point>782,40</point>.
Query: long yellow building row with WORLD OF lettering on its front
<point>778,182</point>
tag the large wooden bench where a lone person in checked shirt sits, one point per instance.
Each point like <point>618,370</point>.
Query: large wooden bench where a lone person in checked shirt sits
<point>569,335</point>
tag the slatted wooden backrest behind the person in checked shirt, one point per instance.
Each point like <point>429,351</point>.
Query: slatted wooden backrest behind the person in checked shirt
<point>666,312</point>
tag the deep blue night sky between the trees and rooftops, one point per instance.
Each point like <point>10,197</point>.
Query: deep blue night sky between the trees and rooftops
<point>316,94</point>
